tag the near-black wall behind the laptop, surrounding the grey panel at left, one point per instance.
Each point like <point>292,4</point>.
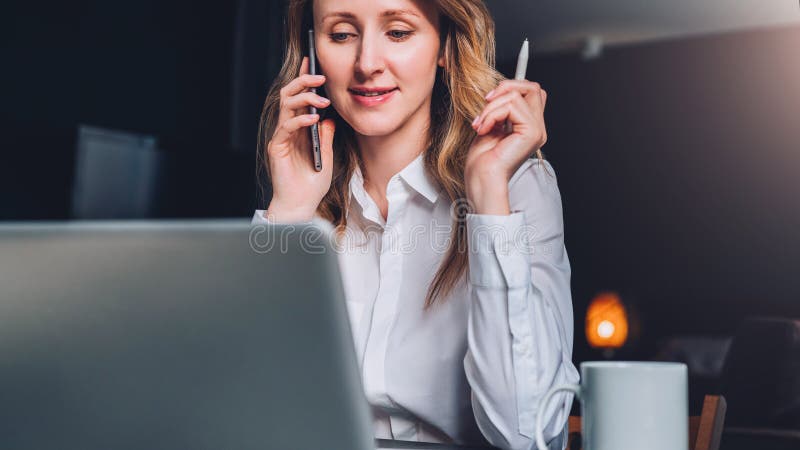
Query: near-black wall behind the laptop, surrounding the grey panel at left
<point>160,68</point>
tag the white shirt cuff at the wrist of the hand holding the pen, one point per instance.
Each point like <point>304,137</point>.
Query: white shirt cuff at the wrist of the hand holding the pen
<point>499,250</point>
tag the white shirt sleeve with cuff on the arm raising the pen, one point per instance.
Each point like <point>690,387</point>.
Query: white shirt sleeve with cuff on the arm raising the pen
<point>520,327</point>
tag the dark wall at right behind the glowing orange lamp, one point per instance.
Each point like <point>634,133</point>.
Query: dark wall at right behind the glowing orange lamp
<point>678,164</point>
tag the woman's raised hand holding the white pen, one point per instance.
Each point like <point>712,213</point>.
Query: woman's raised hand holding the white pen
<point>495,155</point>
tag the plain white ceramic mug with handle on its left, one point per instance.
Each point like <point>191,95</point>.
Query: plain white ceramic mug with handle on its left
<point>629,406</point>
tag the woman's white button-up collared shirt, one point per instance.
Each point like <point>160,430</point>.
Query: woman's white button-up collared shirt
<point>479,361</point>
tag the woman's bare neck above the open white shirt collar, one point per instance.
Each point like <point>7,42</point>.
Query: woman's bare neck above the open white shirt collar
<point>385,156</point>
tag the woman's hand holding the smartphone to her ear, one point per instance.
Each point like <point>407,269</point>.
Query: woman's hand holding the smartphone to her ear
<point>297,188</point>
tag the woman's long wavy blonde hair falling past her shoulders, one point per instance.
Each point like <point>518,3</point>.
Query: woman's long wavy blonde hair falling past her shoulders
<point>467,38</point>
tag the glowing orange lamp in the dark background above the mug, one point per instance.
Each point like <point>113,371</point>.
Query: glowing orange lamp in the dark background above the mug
<point>606,321</point>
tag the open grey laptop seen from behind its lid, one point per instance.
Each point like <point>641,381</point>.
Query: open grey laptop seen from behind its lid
<point>175,335</point>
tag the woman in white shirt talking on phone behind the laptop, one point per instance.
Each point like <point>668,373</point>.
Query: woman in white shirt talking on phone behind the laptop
<point>458,287</point>
